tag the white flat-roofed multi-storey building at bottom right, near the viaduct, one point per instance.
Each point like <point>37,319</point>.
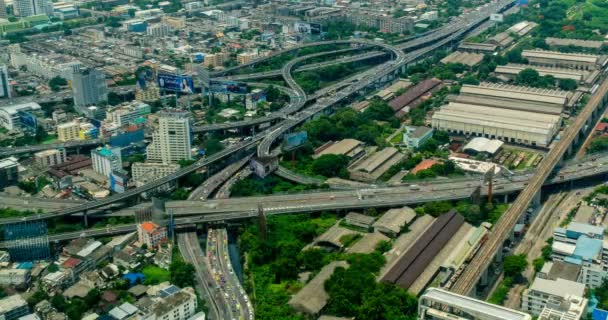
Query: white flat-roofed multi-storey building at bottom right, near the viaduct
<point>544,292</point>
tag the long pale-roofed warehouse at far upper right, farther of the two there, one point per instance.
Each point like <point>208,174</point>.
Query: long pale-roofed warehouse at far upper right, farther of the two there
<point>566,60</point>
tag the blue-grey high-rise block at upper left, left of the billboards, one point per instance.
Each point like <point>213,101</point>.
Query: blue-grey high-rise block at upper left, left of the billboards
<point>89,87</point>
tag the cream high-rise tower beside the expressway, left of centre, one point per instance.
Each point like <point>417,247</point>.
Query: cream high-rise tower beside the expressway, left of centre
<point>171,142</point>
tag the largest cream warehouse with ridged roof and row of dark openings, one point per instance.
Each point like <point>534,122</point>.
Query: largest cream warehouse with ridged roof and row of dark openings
<point>508,125</point>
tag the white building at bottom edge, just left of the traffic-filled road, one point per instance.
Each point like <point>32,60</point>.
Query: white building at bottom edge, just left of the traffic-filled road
<point>178,306</point>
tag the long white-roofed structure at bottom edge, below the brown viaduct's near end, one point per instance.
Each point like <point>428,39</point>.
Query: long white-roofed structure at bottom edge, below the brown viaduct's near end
<point>441,304</point>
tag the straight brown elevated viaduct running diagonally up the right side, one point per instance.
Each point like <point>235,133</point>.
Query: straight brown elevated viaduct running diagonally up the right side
<point>466,282</point>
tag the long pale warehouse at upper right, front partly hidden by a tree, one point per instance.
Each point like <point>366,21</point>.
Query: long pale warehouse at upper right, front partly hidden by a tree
<point>511,70</point>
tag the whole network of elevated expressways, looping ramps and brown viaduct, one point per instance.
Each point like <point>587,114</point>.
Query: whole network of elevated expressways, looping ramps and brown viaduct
<point>215,276</point>
